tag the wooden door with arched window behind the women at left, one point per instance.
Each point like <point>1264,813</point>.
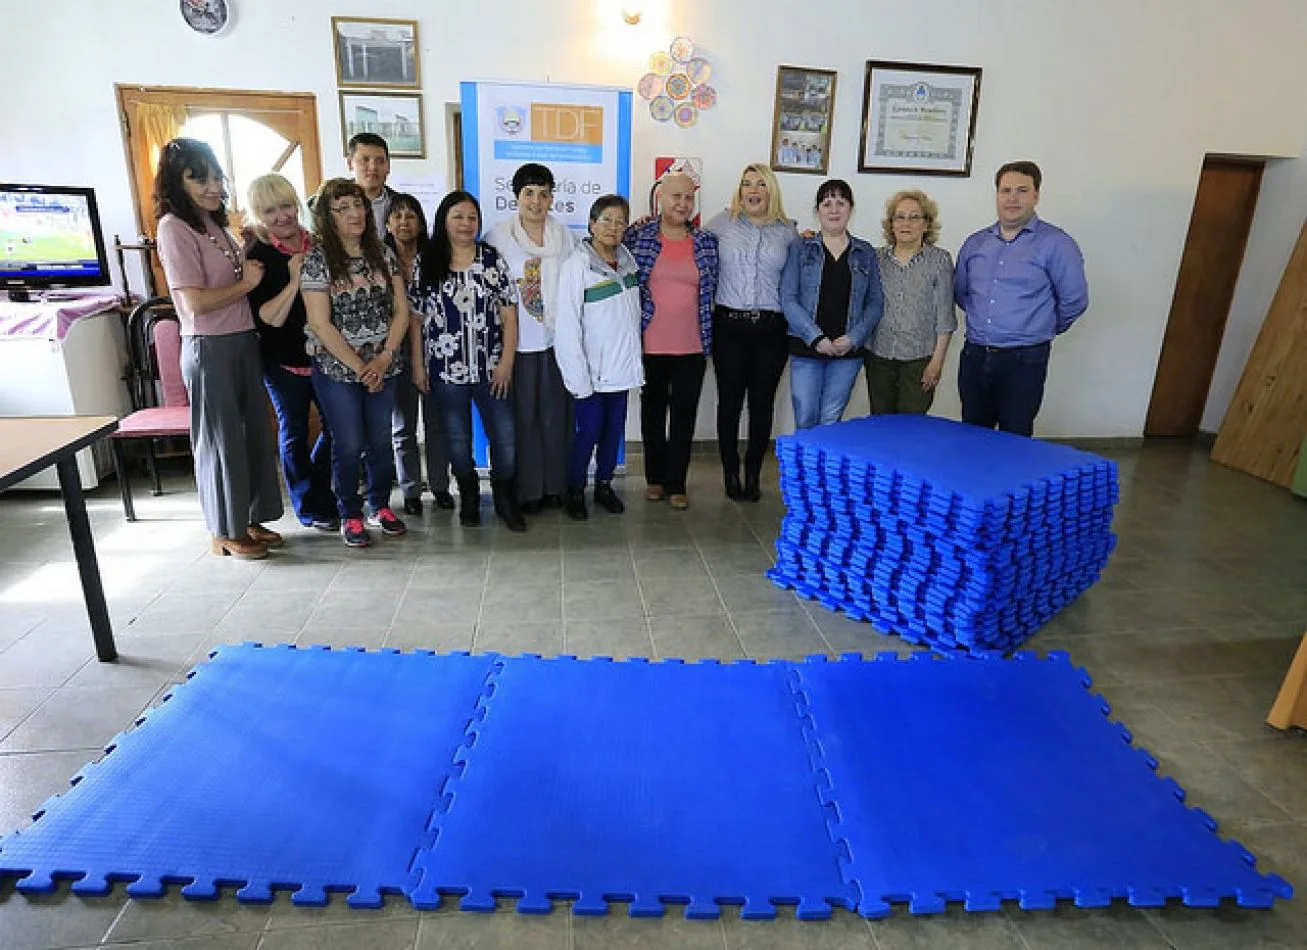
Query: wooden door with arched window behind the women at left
<point>252,133</point>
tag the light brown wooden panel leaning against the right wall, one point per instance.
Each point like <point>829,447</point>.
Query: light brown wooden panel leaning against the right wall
<point>1267,421</point>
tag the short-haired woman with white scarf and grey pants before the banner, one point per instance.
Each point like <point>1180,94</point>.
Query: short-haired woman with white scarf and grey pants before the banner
<point>535,244</point>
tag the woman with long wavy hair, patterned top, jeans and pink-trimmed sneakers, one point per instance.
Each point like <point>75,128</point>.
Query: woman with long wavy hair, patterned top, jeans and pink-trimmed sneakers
<point>357,319</point>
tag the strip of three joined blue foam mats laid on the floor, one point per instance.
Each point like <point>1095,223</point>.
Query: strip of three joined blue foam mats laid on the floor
<point>821,783</point>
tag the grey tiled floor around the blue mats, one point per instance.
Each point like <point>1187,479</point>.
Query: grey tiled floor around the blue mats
<point>1189,636</point>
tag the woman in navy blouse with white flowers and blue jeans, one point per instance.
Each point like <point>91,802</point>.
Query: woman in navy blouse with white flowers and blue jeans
<point>467,306</point>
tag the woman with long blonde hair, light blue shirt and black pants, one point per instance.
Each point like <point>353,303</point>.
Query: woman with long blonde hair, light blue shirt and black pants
<point>750,350</point>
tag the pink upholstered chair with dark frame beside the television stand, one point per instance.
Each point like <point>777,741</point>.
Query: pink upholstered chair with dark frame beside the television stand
<point>155,344</point>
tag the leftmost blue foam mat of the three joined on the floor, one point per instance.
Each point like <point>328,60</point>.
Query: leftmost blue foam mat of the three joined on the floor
<point>305,770</point>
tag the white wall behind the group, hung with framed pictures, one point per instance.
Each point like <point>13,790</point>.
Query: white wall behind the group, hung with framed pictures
<point>1118,101</point>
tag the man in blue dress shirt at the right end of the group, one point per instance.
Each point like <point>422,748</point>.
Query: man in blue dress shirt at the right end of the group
<point>1021,282</point>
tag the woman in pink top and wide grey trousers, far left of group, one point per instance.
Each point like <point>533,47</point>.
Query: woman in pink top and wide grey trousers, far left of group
<point>208,276</point>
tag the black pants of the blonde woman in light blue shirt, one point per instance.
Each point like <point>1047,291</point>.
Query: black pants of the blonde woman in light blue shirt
<point>750,359</point>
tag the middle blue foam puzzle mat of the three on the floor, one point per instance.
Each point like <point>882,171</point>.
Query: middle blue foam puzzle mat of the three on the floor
<point>637,782</point>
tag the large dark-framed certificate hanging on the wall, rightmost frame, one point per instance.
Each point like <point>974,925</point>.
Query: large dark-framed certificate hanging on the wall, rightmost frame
<point>919,120</point>
